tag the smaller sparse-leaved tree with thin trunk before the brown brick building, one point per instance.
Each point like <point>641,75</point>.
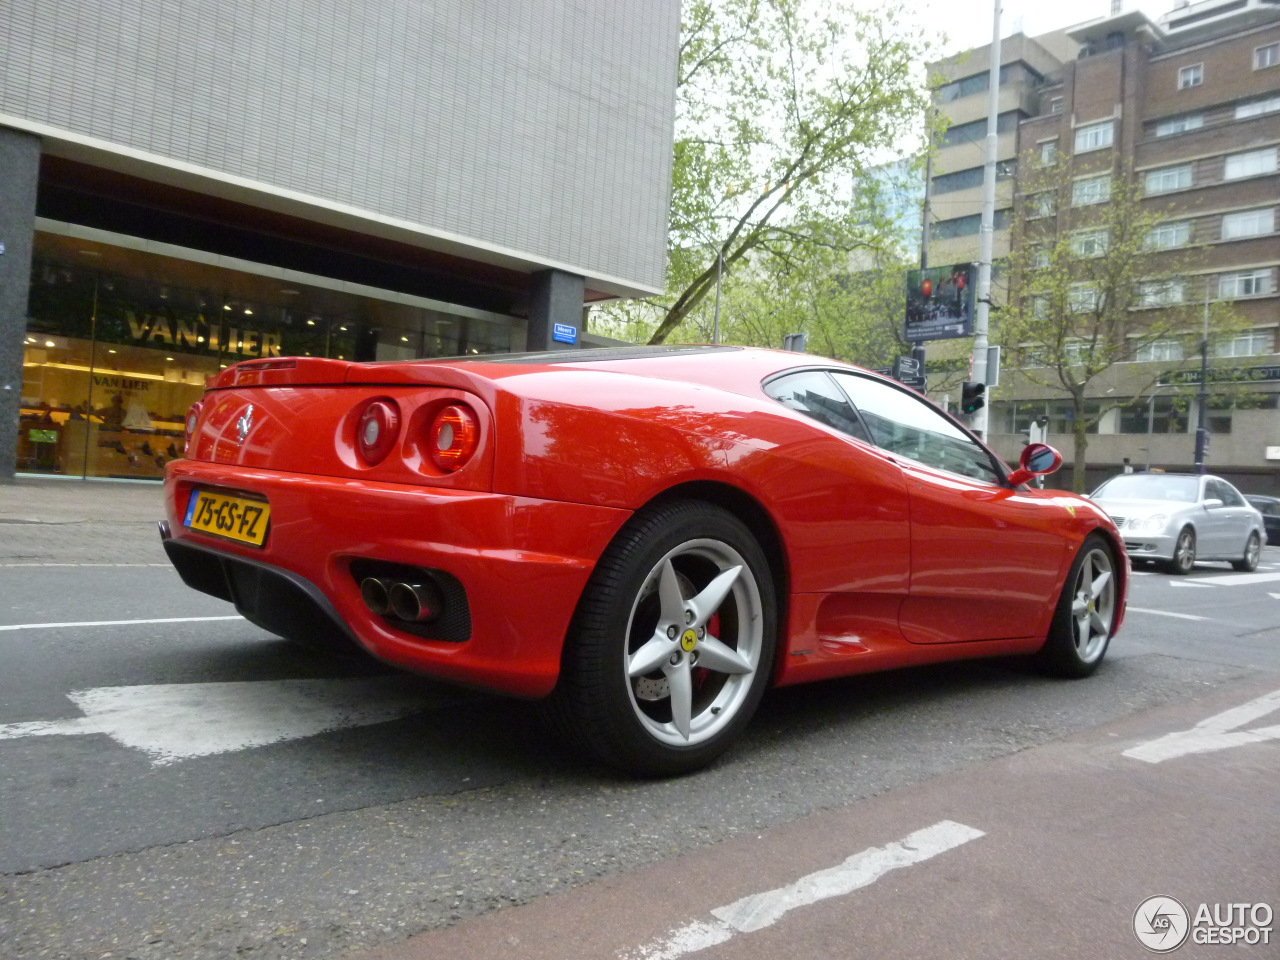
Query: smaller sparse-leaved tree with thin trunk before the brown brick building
<point>1092,287</point>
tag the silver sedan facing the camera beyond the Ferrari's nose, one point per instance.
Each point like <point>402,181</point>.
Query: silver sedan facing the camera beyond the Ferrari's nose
<point>1177,519</point>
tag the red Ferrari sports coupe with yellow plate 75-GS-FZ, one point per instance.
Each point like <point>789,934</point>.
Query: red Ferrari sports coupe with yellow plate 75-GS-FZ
<point>648,537</point>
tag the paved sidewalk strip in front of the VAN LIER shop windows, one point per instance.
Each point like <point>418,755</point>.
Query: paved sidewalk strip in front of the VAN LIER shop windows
<point>80,522</point>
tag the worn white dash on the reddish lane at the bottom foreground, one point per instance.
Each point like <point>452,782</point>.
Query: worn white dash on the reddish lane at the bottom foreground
<point>760,911</point>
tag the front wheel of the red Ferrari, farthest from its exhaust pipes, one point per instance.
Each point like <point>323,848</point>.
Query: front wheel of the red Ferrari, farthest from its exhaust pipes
<point>1086,614</point>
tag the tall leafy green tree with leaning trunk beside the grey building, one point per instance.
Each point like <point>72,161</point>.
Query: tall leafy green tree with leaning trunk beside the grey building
<point>784,111</point>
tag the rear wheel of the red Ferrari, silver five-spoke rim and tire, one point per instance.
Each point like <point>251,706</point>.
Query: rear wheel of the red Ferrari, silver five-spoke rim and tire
<point>673,563</point>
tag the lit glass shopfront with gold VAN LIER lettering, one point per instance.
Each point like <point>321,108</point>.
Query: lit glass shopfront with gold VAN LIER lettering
<point>120,344</point>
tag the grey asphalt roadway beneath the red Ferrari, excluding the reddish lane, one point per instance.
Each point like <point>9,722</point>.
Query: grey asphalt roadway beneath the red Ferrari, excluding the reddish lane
<point>145,820</point>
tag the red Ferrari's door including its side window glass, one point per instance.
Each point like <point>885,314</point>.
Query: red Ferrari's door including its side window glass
<point>986,560</point>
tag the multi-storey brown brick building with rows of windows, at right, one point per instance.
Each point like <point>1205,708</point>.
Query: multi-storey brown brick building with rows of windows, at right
<point>1190,107</point>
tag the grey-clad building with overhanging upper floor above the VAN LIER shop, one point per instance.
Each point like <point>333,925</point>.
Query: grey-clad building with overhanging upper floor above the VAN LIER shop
<point>195,182</point>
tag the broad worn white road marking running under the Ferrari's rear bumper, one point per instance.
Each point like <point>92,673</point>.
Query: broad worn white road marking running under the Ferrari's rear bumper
<point>172,723</point>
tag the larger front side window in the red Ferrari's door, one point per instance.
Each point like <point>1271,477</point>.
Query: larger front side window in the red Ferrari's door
<point>906,426</point>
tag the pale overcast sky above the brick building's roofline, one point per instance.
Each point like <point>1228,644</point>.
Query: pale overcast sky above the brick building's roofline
<point>967,24</point>
